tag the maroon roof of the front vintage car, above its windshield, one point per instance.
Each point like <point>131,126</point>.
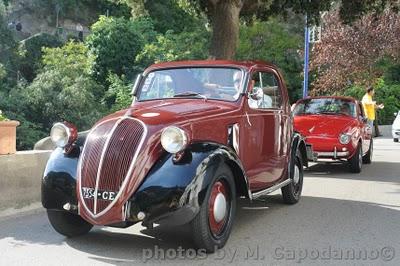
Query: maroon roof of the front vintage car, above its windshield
<point>247,65</point>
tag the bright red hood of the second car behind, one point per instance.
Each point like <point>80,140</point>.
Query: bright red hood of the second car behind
<point>322,125</point>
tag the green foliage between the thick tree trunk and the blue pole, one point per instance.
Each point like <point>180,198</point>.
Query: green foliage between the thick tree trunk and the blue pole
<point>271,41</point>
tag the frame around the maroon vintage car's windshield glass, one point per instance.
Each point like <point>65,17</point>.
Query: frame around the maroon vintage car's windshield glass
<point>193,94</point>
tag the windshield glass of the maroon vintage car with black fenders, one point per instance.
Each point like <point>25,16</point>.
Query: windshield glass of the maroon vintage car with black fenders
<point>219,83</point>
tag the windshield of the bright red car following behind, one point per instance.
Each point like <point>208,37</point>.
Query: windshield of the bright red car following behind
<point>327,106</point>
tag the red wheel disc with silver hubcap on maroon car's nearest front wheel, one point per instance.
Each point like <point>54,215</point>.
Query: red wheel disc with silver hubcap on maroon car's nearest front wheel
<point>218,208</point>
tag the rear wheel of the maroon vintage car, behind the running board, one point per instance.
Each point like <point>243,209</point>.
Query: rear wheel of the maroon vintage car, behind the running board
<point>291,193</point>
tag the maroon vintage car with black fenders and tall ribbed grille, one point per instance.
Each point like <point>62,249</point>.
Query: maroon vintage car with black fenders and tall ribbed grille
<point>198,135</point>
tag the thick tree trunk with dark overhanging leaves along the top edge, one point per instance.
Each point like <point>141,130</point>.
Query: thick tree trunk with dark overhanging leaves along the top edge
<point>225,15</point>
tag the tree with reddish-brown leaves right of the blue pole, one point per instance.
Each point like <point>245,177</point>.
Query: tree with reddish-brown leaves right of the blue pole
<point>352,53</point>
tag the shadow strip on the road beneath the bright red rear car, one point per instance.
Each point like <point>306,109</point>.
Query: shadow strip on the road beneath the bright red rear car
<point>377,171</point>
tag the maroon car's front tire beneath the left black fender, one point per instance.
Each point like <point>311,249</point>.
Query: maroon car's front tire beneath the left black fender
<point>68,224</point>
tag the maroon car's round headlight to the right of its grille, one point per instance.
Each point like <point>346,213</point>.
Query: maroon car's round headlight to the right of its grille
<point>174,139</point>
